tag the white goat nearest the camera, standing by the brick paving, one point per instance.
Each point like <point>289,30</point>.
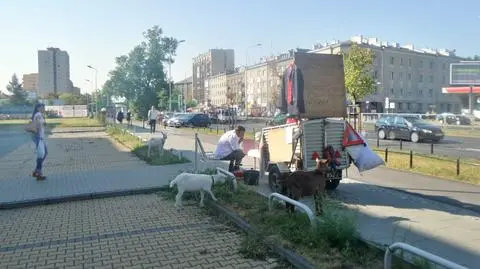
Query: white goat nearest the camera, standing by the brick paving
<point>196,182</point>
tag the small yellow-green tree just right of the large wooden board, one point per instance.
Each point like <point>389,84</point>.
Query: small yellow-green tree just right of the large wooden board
<point>359,80</point>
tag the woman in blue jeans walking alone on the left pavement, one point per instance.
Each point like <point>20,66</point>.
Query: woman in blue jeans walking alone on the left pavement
<point>38,120</point>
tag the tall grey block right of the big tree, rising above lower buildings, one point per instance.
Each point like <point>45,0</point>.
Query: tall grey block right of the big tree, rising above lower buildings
<point>210,63</point>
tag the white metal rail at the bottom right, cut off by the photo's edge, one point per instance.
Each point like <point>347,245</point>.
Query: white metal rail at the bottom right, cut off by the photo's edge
<point>419,252</point>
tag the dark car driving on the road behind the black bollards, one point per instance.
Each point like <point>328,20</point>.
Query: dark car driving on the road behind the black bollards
<point>407,128</point>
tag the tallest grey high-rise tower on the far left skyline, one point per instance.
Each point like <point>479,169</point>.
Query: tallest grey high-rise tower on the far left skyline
<point>53,72</point>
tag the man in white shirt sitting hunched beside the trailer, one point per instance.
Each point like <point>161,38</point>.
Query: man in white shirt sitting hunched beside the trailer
<point>228,147</point>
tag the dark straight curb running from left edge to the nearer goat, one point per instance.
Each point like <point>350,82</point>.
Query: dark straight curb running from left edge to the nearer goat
<point>79,197</point>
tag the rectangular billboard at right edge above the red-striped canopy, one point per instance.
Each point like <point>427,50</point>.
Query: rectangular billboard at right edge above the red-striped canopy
<point>465,73</point>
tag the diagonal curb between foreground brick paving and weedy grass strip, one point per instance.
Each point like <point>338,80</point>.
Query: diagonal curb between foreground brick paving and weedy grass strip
<point>296,260</point>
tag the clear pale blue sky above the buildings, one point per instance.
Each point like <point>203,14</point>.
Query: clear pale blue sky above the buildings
<point>95,32</point>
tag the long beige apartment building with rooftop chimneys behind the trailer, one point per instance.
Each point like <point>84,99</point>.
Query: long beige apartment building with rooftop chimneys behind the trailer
<point>411,78</point>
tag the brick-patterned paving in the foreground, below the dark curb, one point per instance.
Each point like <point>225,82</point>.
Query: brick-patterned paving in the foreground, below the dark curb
<point>142,231</point>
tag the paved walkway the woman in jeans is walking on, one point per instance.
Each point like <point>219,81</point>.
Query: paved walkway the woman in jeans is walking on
<point>78,165</point>
